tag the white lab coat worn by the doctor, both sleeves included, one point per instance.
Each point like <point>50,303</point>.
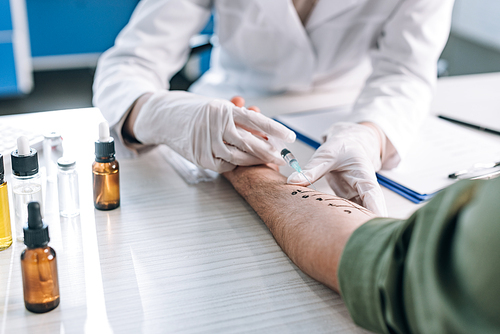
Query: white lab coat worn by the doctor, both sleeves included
<point>389,48</point>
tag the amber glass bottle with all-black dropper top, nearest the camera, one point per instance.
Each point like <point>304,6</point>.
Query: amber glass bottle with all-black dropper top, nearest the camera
<point>39,265</point>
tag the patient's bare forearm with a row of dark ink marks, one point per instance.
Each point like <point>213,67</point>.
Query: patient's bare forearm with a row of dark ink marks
<point>311,227</point>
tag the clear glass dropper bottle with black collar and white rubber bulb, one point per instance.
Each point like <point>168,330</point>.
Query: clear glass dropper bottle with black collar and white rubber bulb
<point>26,182</point>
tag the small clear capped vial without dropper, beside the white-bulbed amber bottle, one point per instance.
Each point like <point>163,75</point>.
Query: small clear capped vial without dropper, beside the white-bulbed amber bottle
<point>67,184</point>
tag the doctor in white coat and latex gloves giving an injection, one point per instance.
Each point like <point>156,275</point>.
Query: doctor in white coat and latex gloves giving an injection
<point>389,49</point>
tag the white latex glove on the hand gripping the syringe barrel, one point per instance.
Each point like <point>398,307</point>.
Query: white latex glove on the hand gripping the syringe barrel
<point>209,132</point>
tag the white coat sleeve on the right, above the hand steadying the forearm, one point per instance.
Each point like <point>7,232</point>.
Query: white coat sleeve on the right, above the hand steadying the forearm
<point>398,93</point>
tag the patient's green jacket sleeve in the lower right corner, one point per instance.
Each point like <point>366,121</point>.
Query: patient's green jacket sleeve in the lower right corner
<point>436,272</point>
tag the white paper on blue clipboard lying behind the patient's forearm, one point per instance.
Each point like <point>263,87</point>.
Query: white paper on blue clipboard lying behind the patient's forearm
<point>440,148</point>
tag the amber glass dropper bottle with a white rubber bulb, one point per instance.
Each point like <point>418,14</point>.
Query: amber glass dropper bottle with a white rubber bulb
<point>105,172</point>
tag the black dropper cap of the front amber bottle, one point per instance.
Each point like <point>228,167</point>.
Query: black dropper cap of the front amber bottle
<point>36,234</point>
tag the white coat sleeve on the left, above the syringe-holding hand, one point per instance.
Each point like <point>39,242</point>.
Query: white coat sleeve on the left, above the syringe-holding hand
<point>151,48</point>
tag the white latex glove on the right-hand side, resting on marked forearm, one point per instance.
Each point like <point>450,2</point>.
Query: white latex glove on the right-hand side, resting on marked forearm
<point>349,158</point>
